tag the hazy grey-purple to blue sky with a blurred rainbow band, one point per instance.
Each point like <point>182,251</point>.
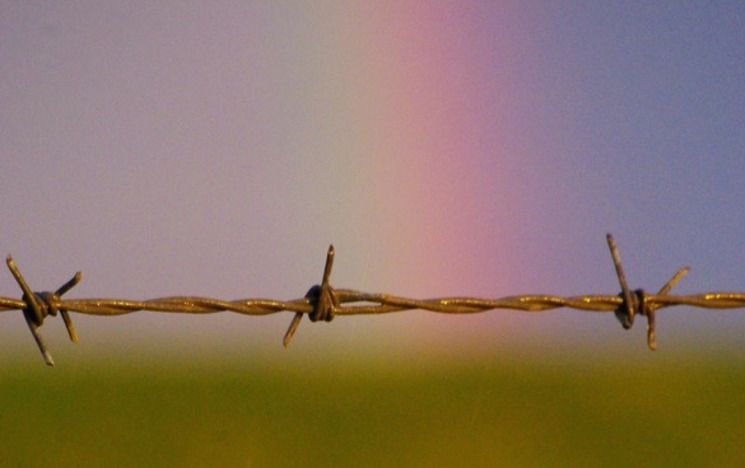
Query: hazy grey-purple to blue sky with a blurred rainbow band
<point>445,148</point>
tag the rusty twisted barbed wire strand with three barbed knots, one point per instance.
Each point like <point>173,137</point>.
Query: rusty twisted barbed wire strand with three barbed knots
<point>323,302</point>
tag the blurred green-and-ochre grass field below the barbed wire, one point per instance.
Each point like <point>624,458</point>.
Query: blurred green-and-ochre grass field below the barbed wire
<point>508,411</point>
